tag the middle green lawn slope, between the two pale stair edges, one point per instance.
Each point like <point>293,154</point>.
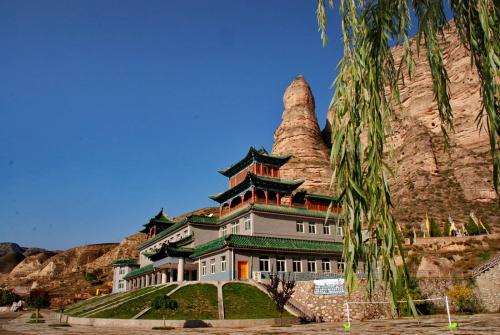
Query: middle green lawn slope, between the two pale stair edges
<point>196,302</point>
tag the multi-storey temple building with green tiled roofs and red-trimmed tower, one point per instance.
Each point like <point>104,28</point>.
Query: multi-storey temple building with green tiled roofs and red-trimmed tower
<point>264,224</point>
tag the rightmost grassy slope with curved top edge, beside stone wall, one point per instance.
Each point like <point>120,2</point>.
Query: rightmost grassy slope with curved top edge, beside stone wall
<point>243,301</point>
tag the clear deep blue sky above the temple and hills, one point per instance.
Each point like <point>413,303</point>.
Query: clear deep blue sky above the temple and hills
<point>110,110</point>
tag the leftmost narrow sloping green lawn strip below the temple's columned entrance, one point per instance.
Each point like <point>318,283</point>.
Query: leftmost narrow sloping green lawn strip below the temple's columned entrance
<point>131,308</point>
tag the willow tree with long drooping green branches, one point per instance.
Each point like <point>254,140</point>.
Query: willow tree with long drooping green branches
<point>366,95</point>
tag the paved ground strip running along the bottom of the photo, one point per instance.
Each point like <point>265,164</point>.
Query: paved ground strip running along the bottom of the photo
<point>475,324</point>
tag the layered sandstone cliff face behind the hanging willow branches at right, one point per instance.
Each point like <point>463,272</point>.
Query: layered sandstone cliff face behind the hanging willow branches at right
<point>427,178</point>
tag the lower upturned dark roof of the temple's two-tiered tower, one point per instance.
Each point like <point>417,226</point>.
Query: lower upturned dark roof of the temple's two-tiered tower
<point>252,179</point>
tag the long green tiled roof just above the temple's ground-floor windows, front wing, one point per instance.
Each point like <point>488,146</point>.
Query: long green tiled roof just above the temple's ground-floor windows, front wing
<point>267,243</point>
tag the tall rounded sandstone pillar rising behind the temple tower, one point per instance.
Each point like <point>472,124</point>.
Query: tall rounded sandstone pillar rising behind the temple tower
<point>299,135</point>
